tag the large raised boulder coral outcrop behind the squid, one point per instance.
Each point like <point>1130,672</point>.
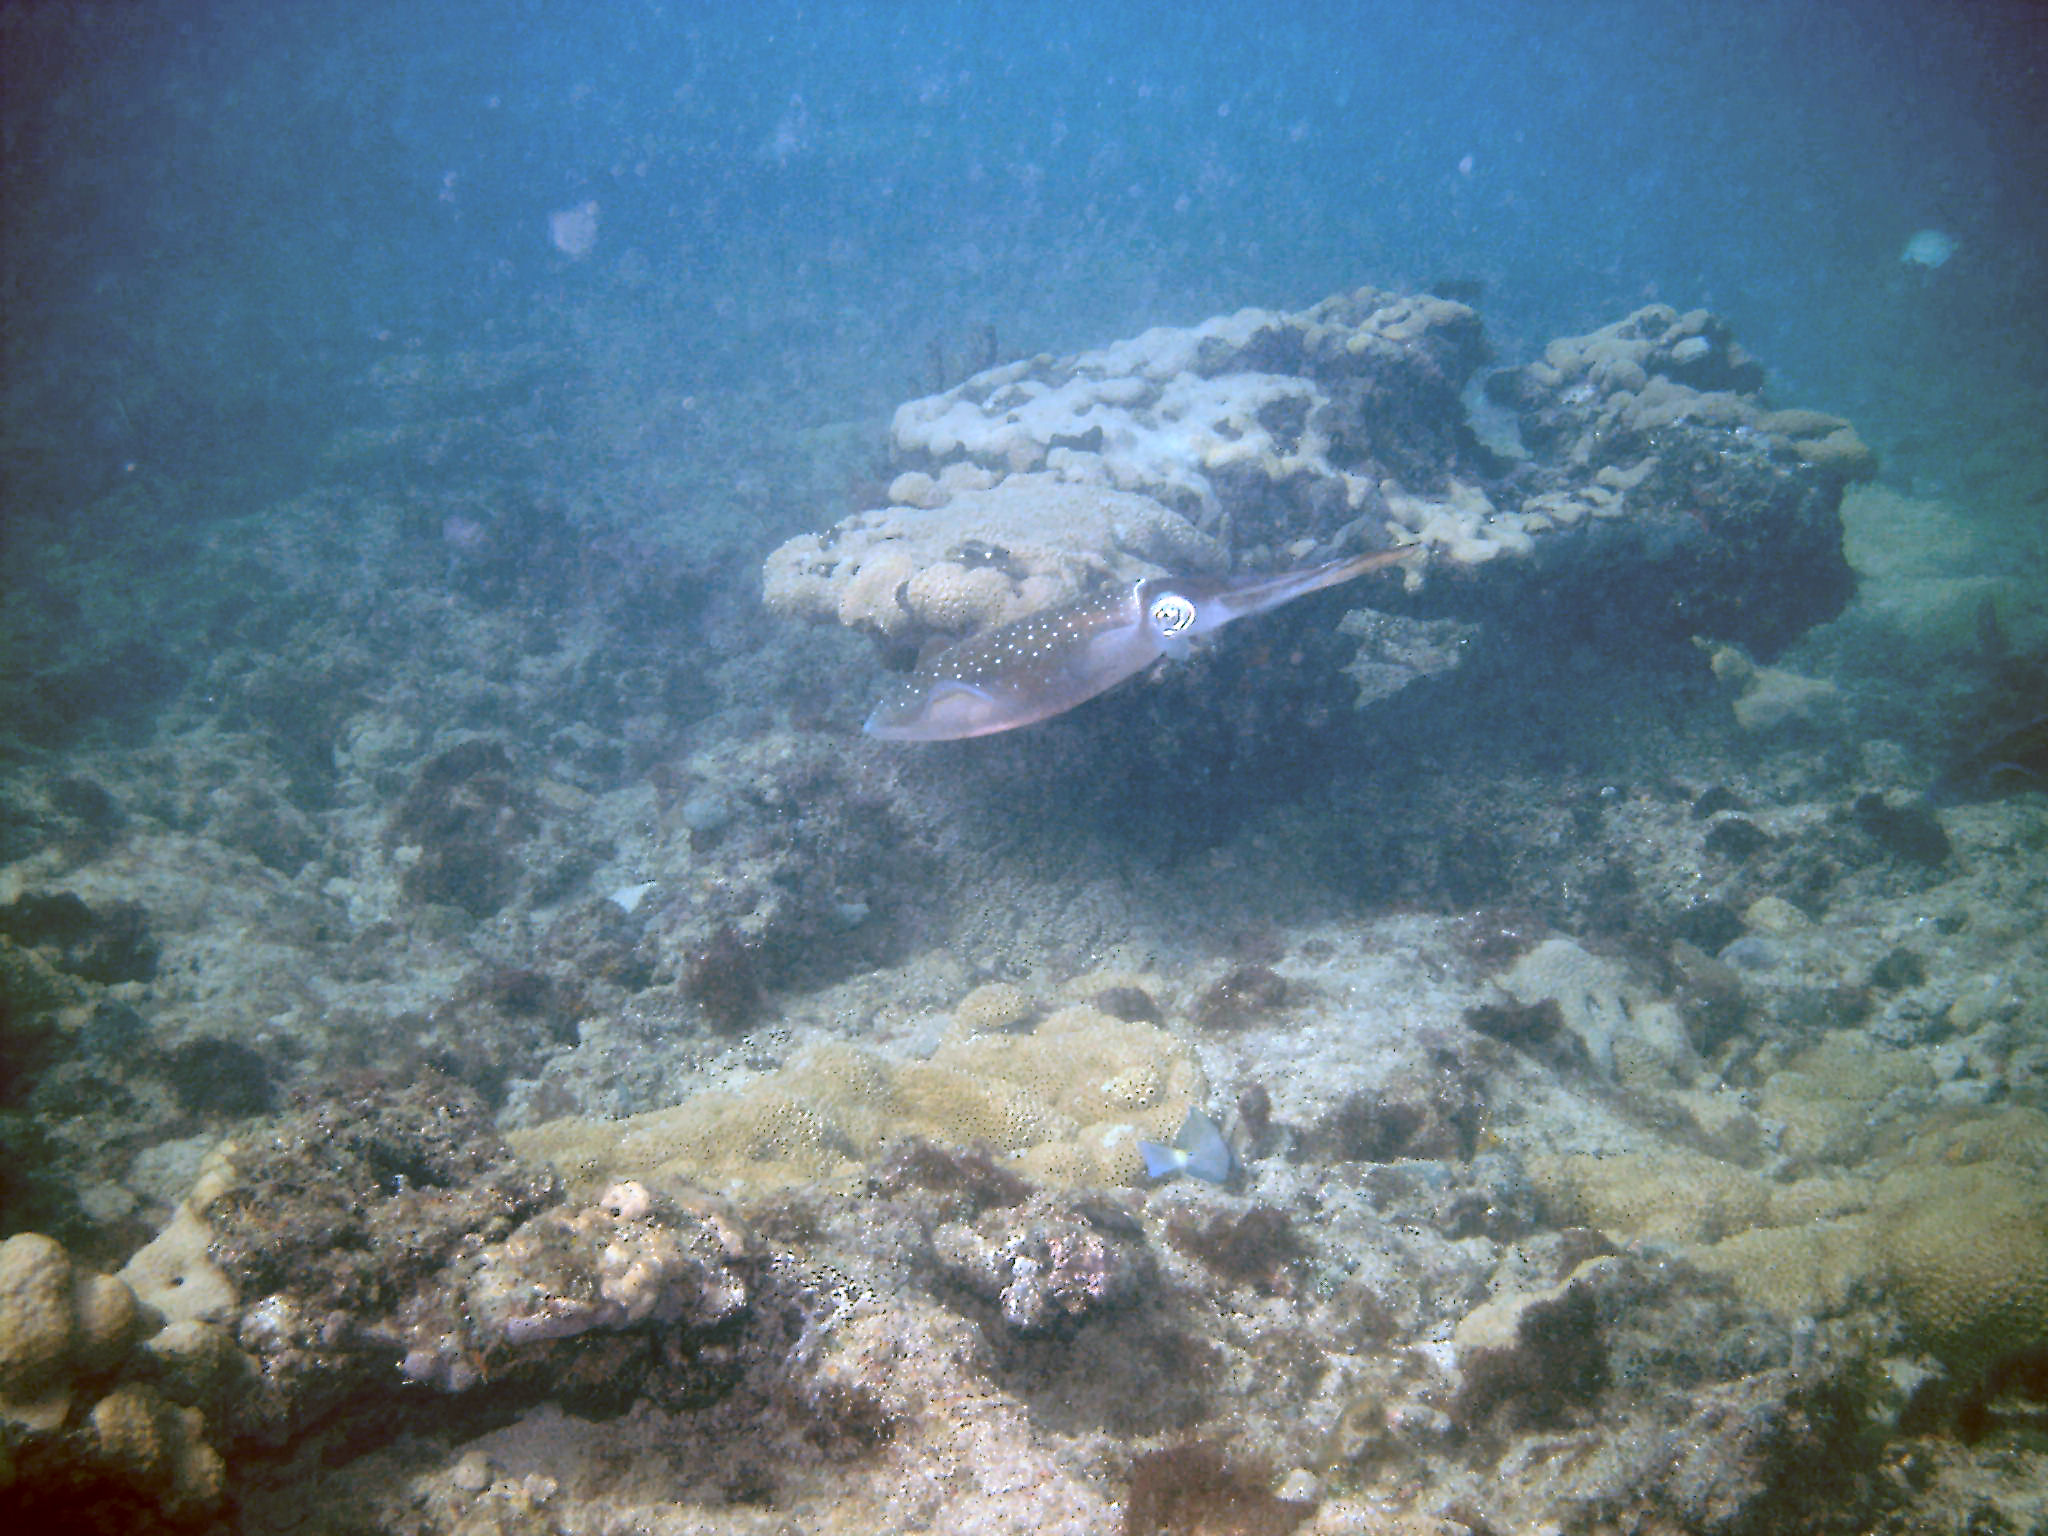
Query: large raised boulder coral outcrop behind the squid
<point>1639,460</point>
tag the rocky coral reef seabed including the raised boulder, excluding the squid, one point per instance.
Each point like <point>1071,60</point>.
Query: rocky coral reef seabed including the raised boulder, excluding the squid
<point>1633,1111</point>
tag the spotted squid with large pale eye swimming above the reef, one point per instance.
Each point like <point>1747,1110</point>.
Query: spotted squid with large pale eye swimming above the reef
<point>1054,660</point>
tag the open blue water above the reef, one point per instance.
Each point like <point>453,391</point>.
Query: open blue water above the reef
<point>218,212</point>
